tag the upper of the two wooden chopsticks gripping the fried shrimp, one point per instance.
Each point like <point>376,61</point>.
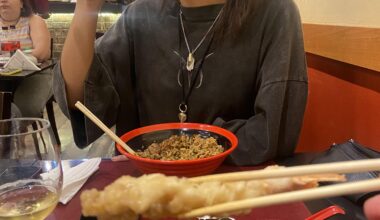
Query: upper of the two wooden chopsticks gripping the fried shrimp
<point>336,167</point>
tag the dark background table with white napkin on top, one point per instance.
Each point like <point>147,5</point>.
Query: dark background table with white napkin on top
<point>8,85</point>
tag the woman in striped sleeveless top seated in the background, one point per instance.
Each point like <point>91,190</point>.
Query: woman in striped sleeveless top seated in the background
<point>19,23</point>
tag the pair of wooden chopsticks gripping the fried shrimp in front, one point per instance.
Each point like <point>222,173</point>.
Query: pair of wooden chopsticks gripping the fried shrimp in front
<point>295,196</point>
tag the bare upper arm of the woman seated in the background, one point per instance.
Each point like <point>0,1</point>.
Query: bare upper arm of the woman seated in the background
<point>40,37</point>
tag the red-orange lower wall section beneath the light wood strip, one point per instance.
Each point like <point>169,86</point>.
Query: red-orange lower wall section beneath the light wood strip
<point>343,103</point>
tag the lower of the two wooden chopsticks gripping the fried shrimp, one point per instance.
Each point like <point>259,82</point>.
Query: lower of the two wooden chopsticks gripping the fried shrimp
<point>295,196</point>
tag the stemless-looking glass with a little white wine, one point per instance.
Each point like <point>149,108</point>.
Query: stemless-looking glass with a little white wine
<point>30,169</point>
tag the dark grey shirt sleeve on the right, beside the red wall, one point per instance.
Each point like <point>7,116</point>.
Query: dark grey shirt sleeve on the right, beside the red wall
<point>274,129</point>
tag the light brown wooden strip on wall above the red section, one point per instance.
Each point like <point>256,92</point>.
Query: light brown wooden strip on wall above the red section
<point>354,45</point>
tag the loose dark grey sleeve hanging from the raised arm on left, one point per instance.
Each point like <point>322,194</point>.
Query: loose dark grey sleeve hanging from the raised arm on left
<point>112,57</point>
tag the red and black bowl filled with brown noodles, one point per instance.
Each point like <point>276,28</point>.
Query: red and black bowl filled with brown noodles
<point>140,138</point>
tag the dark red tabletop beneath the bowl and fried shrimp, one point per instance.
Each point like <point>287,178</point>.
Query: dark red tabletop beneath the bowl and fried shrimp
<point>109,171</point>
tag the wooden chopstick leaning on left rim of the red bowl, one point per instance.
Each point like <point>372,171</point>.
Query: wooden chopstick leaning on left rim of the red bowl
<point>102,126</point>
